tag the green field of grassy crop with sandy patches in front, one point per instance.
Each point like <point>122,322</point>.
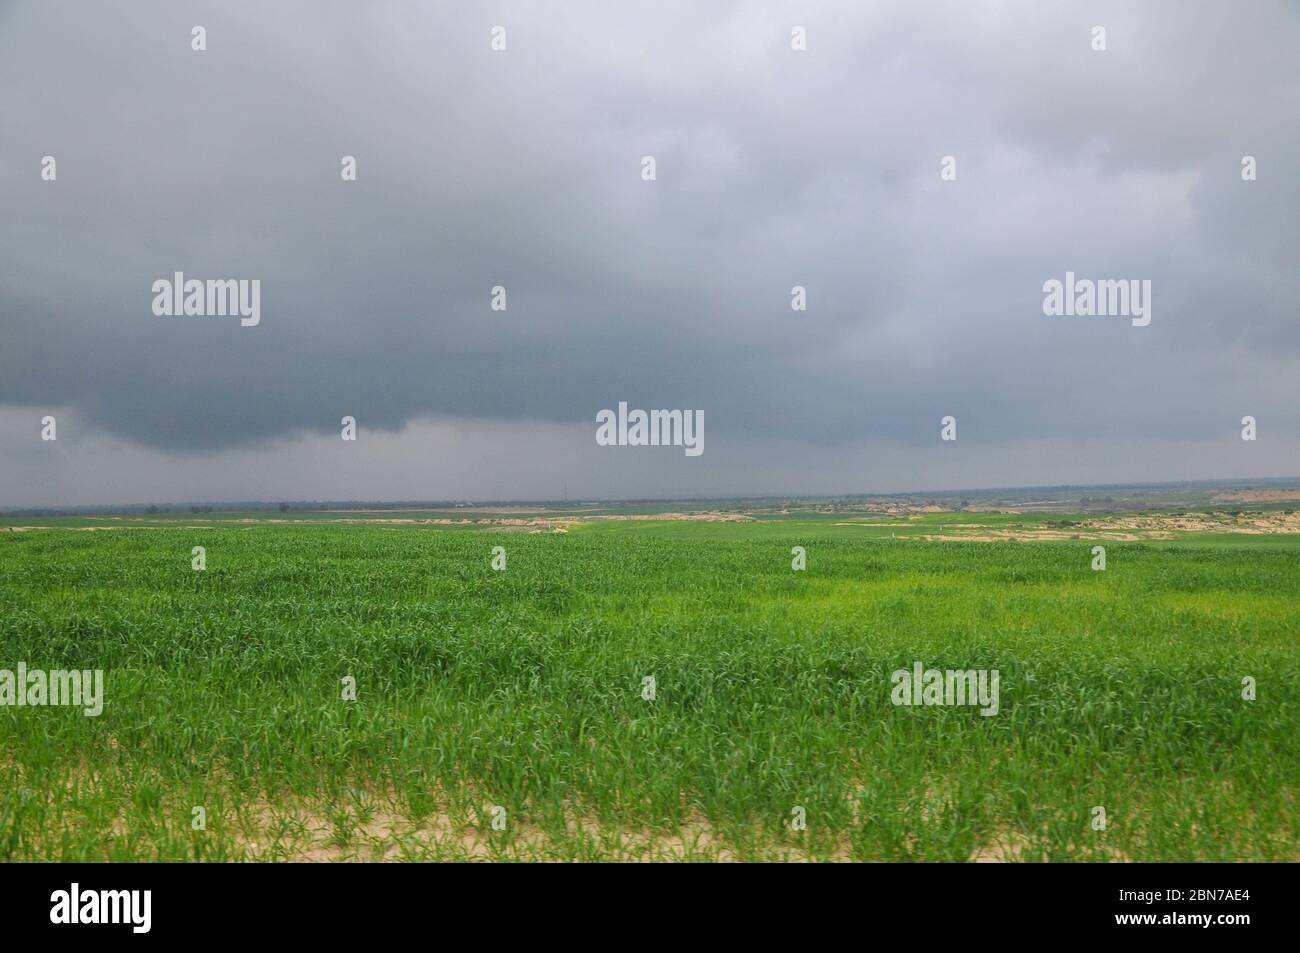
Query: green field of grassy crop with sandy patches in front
<point>523,690</point>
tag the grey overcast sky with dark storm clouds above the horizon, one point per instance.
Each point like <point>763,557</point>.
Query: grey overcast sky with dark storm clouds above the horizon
<point>523,168</point>
